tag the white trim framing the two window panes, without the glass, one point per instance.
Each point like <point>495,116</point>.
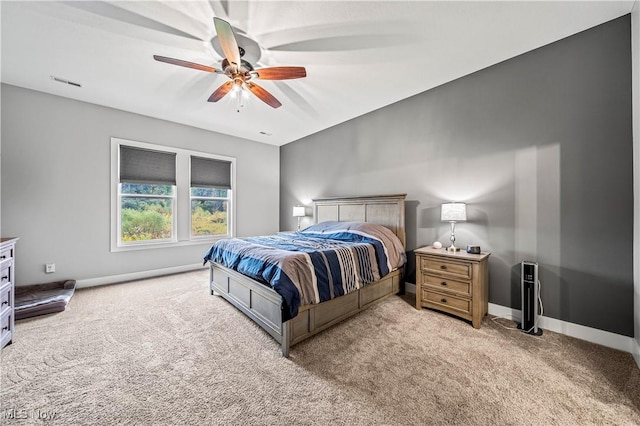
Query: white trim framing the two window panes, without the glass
<point>182,201</point>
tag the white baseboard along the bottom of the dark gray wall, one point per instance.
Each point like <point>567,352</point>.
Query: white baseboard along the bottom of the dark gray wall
<point>604,338</point>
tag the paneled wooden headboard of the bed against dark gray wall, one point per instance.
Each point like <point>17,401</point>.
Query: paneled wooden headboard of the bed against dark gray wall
<point>385,210</point>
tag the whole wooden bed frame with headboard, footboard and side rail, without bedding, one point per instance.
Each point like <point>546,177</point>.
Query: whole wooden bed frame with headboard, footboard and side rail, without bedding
<point>263,305</point>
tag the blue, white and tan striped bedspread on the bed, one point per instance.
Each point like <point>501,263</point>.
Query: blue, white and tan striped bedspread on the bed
<point>320,263</point>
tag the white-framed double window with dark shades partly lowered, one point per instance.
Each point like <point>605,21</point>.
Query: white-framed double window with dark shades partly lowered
<point>163,197</point>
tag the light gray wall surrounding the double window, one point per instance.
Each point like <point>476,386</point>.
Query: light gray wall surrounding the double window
<point>56,185</point>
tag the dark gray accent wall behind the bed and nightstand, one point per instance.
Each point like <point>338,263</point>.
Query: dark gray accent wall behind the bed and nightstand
<point>540,147</point>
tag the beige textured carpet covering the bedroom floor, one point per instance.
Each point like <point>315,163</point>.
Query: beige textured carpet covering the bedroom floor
<point>165,352</point>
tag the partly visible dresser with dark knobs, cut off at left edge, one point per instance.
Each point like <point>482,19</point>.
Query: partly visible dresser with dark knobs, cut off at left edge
<point>7,285</point>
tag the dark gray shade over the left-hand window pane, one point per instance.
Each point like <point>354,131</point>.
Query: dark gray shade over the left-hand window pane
<point>139,165</point>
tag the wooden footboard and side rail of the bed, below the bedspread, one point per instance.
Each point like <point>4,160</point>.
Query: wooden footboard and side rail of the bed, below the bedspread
<point>264,306</point>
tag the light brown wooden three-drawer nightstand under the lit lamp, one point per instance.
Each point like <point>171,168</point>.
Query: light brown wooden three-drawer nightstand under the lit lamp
<point>456,283</point>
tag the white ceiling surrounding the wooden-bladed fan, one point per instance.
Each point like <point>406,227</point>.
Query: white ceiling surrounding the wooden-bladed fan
<point>360,56</point>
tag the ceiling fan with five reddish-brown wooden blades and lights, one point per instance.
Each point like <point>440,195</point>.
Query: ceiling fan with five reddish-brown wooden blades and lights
<point>238,70</point>
